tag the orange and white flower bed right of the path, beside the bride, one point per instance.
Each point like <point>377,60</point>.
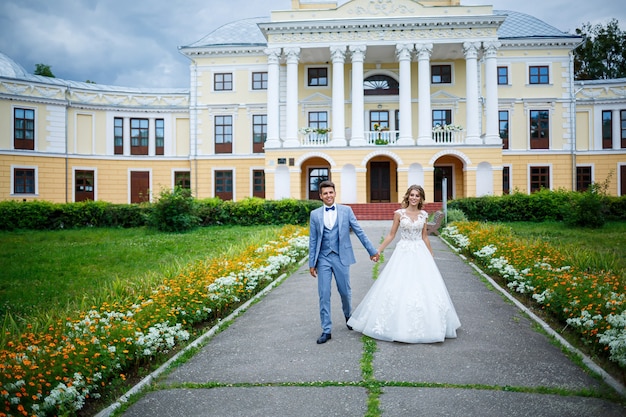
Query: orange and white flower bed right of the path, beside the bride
<point>591,302</point>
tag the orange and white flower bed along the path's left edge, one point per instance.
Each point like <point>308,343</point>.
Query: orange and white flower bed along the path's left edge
<point>54,372</point>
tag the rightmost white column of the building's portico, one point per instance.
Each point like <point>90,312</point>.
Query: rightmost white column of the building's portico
<point>491,91</point>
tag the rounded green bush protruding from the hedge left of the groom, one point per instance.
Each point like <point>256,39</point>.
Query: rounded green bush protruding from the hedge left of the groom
<point>174,211</point>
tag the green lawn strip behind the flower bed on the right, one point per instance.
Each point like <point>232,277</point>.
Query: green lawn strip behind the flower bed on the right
<point>594,249</point>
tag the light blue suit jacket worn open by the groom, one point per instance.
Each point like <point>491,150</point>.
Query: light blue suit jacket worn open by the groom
<point>346,220</point>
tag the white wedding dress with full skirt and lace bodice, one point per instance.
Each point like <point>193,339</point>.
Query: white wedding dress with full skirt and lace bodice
<point>409,302</point>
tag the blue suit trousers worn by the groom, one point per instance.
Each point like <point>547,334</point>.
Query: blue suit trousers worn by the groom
<point>327,266</point>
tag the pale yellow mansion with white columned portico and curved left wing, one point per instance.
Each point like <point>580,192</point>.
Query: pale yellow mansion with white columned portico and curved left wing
<point>277,104</point>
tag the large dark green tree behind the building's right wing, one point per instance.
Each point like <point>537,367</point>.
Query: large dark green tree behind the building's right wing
<point>602,55</point>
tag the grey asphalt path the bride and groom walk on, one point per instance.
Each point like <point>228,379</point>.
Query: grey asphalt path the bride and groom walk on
<point>269,353</point>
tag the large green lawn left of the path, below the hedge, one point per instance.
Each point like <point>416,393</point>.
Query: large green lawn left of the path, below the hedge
<point>46,274</point>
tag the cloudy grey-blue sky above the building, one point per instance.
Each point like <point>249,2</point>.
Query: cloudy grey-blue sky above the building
<point>135,42</point>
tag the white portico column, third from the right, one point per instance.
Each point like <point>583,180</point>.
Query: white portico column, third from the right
<point>425,115</point>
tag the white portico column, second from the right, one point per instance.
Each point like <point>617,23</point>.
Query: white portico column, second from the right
<point>471,81</point>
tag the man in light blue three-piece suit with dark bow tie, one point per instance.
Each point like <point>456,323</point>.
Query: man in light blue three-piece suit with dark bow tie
<point>330,253</point>
